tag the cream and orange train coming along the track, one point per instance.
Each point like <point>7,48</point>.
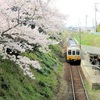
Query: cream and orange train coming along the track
<point>73,52</point>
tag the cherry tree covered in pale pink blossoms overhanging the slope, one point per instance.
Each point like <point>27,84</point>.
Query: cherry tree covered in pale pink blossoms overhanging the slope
<point>26,25</point>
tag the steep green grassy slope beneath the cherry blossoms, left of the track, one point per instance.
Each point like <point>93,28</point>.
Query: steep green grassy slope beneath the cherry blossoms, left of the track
<point>14,85</point>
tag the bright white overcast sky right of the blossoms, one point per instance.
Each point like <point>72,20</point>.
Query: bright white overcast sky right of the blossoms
<point>81,12</point>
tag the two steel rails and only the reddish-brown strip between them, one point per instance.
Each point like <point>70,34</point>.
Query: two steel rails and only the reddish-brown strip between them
<point>78,84</point>
